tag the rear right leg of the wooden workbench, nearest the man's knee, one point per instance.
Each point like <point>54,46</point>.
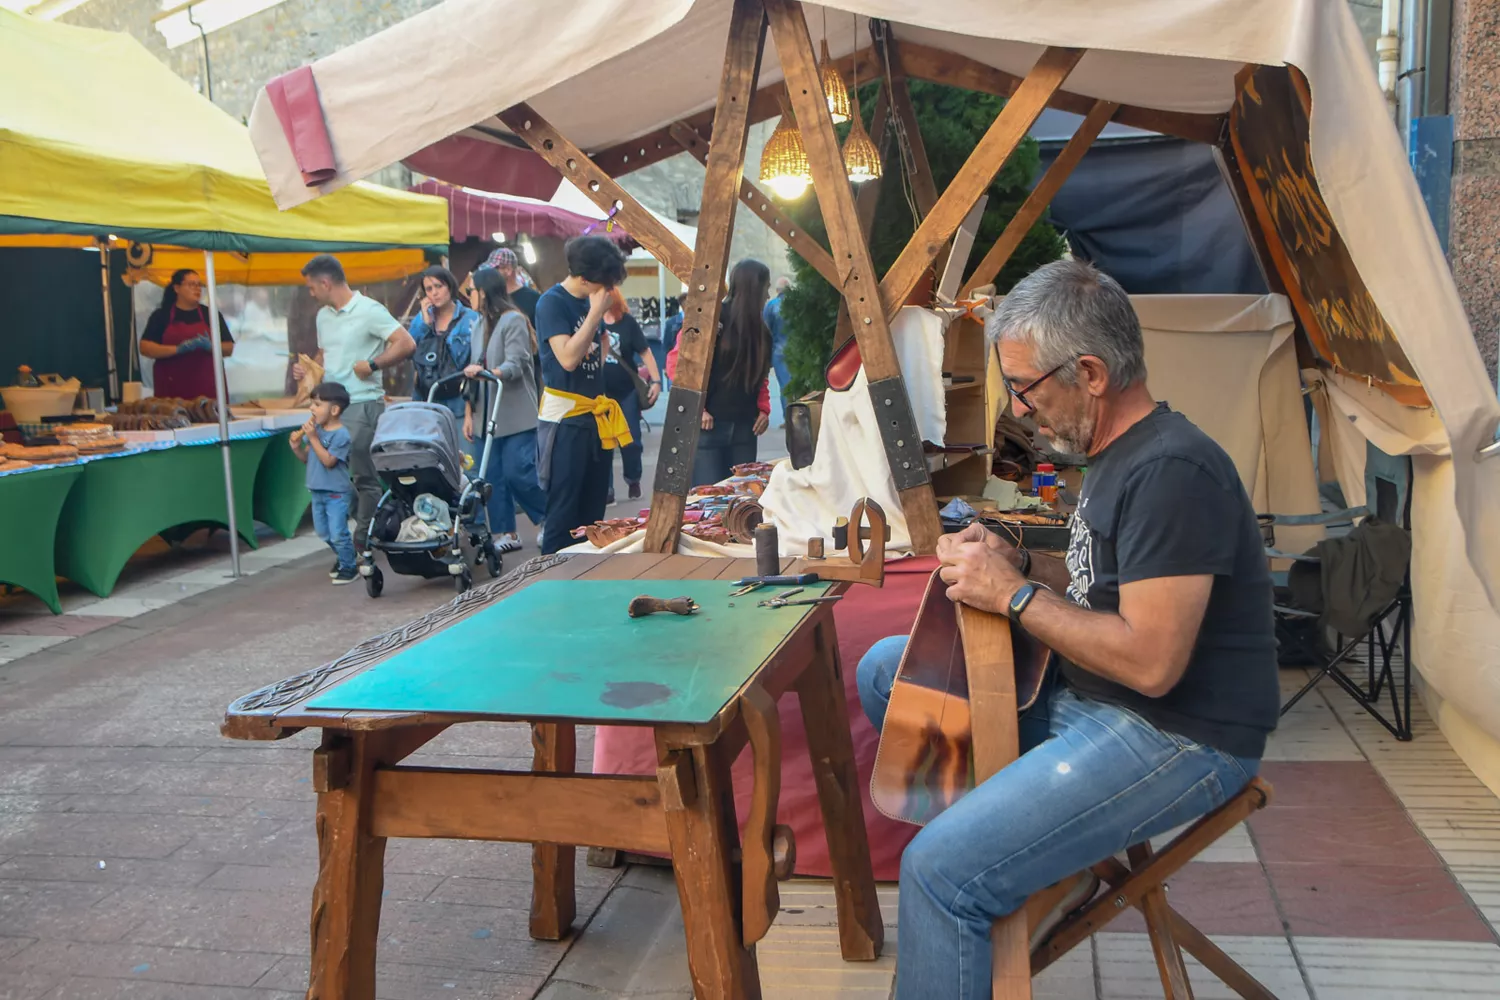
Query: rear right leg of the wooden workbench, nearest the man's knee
<point>826,717</point>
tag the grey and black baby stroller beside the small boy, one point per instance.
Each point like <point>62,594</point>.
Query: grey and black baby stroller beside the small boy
<point>431,521</point>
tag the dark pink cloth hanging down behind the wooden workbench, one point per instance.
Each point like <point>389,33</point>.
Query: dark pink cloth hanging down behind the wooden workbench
<point>862,618</point>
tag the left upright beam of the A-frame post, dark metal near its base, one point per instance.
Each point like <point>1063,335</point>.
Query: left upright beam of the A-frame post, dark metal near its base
<point>716,224</point>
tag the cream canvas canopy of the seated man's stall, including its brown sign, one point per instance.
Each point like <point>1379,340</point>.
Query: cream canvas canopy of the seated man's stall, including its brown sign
<point>1180,67</point>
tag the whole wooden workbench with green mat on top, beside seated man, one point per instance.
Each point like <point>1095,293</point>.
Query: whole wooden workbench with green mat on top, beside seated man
<point>707,686</point>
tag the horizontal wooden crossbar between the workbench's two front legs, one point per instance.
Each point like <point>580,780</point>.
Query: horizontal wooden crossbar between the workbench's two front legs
<point>520,807</point>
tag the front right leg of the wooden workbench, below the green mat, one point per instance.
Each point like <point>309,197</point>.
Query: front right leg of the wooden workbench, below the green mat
<point>704,834</point>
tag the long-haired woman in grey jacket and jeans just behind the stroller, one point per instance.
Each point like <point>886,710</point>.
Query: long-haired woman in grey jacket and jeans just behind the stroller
<point>505,344</point>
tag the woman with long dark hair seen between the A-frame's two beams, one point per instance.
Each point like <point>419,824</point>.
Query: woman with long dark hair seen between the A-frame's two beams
<point>737,406</point>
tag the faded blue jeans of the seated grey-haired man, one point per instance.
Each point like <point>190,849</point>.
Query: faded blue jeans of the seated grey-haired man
<point>1093,780</point>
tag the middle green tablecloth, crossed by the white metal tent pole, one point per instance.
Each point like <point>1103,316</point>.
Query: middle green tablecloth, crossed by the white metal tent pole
<point>119,503</point>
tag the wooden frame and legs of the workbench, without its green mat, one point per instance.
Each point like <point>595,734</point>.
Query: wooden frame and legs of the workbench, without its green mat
<point>688,812</point>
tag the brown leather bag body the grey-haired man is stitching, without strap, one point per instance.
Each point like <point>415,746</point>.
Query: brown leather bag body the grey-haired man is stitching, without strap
<point>926,759</point>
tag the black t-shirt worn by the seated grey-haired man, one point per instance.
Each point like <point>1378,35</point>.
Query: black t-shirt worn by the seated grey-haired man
<point>1165,500</point>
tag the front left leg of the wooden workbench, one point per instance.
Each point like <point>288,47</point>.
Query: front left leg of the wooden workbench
<point>346,902</point>
